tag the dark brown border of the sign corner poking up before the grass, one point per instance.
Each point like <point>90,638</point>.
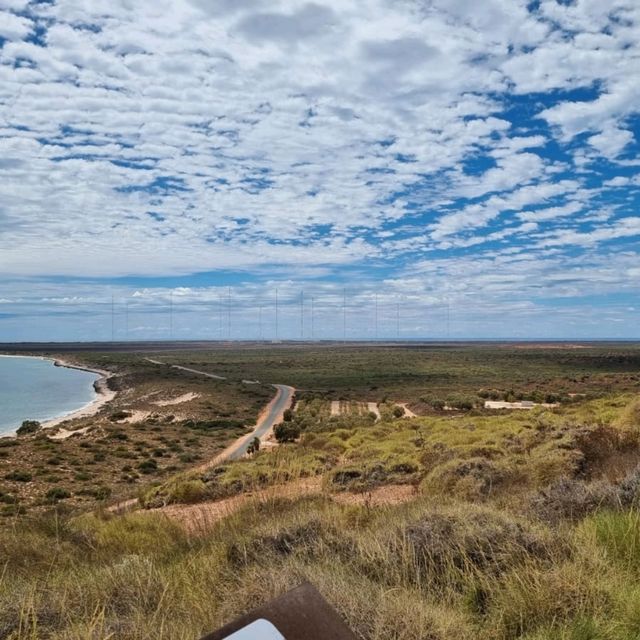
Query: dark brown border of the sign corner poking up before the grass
<point>301,614</point>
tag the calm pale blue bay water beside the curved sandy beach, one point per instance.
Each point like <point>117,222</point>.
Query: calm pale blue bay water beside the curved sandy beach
<point>34,389</point>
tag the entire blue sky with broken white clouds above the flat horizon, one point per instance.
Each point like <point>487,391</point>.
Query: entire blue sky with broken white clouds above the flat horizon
<point>469,168</point>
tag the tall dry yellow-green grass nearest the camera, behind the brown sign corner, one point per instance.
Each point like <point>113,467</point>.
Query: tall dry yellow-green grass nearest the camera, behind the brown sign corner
<point>414,571</point>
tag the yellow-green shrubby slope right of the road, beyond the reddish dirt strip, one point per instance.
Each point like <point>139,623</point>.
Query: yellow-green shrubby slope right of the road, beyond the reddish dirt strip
<point>474,455</point>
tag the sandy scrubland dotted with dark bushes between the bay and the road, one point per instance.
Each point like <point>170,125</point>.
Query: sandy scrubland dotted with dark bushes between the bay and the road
<point>162,421</point>
